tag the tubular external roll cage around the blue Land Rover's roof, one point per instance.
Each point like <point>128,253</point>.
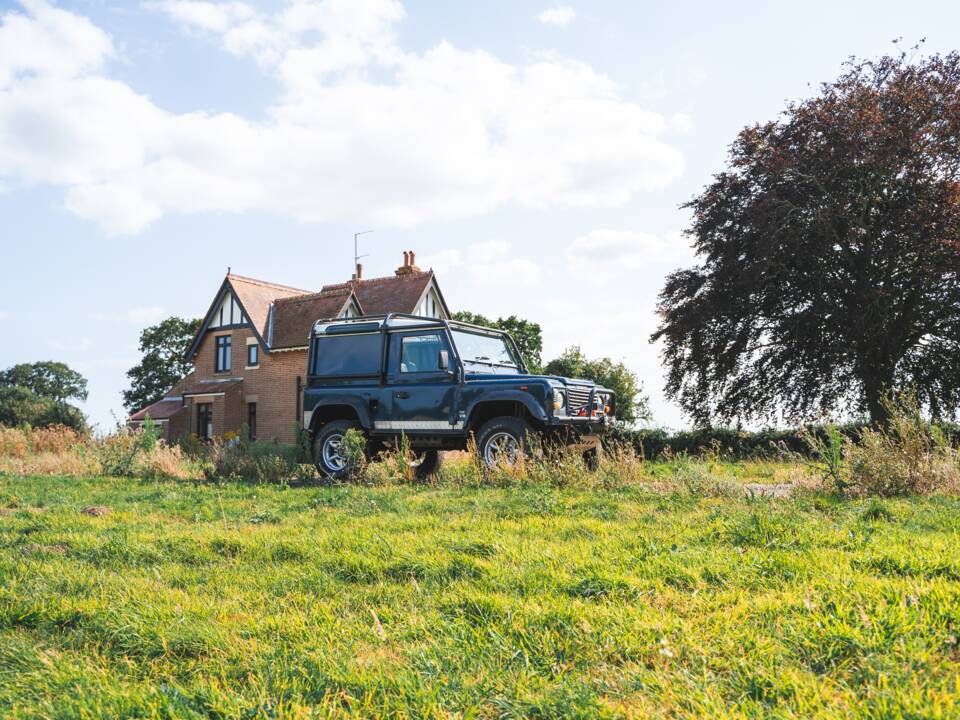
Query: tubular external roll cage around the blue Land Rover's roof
<point>403,322</point>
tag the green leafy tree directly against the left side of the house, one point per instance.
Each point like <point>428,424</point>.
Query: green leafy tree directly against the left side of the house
<point>163,365</point>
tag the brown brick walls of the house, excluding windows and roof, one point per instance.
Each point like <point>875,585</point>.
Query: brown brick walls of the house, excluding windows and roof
<point>272,385</point>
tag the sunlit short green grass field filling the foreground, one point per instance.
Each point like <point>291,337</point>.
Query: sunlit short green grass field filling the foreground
<point>239,601</point>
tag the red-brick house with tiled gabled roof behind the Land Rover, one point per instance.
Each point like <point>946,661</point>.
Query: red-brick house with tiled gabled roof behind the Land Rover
<point>250,353</point>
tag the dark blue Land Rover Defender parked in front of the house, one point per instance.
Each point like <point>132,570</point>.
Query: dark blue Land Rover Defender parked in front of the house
<point>439,382</point>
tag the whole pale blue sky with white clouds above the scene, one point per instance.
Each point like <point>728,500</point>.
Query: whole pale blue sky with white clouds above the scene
<point>535,154</point>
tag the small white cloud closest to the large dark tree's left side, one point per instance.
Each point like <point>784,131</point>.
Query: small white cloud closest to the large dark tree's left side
<point>605,252</point>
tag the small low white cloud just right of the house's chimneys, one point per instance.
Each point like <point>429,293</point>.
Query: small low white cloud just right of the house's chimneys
<point>487,263</point>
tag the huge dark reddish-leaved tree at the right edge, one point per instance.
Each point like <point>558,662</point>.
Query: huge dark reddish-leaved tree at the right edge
<point>830,272</point>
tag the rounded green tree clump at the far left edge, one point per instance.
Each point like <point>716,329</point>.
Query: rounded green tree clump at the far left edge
<point>36,394</point>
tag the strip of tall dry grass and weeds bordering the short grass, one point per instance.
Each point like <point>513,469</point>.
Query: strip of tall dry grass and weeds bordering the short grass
<point>907,456</point>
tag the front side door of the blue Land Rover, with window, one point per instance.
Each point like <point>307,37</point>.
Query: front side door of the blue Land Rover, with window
<point>421,391</point>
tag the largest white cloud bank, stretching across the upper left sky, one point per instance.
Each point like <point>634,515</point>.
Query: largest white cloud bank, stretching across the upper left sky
<point>362,130</point>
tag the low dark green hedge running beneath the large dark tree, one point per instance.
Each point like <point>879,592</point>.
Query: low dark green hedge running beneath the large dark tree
<point>740,444</point>
